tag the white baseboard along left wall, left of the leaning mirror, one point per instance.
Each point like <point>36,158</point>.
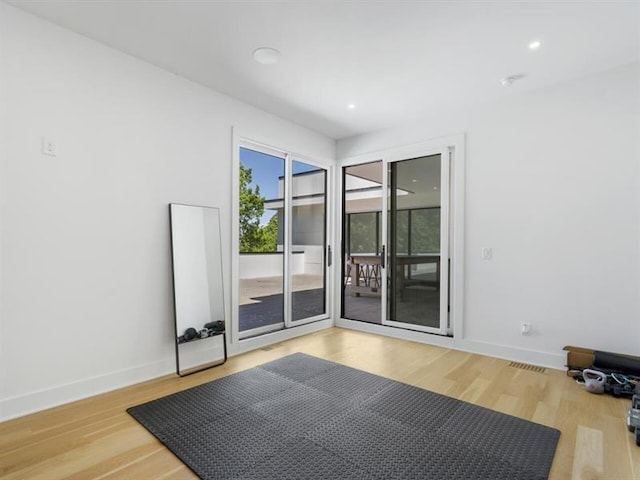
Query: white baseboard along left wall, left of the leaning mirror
<point>31,402</point>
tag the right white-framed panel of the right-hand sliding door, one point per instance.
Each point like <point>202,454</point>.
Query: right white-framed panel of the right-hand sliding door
<point>417,276</point>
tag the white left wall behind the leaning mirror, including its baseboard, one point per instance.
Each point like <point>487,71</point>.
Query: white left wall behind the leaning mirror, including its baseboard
<point>86,299</point>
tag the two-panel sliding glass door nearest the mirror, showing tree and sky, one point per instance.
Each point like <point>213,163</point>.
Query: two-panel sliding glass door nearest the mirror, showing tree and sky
<point>283,241</point>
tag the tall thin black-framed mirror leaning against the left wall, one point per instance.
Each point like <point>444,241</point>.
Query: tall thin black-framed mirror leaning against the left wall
<point>197,282</point>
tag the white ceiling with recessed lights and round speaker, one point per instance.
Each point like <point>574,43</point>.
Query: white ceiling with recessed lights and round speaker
<point>396,61</point>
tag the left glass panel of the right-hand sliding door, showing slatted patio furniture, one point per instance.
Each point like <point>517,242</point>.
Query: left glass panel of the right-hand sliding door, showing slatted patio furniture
<point>362,289</point>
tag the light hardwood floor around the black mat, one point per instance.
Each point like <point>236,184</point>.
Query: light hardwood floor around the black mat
<point>96,438</point>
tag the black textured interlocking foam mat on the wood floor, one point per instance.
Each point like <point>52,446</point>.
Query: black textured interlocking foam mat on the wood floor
<point>302,417</point>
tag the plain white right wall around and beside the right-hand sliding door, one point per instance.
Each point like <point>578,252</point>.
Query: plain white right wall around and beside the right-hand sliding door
<point>553,186</point>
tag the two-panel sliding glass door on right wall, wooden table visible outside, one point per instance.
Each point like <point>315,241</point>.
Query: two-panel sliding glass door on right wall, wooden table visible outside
<point>395,236</point>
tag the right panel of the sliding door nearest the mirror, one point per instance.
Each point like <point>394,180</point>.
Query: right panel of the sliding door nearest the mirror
<point>308,258</point>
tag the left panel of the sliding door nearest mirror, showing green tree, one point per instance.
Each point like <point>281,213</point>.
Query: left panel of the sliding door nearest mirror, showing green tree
<point>262,217</point>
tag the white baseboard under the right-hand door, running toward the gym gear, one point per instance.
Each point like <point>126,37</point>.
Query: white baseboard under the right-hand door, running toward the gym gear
<point>534,357</point>
